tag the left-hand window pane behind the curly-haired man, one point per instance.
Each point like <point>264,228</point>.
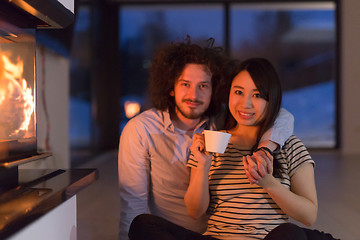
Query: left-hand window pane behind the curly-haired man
<point>144,28</point>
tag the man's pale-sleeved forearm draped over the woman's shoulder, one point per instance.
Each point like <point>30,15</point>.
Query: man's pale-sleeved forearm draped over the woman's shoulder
<point>277,135</point>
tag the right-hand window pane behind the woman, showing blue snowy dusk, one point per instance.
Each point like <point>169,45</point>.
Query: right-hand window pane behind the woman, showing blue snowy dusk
<point>300,40</point>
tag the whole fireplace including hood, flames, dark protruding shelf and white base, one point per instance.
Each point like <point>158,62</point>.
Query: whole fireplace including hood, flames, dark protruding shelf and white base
<point>27,196</point>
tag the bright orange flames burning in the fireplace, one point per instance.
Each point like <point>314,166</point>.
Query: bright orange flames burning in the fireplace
<point>16,99</point>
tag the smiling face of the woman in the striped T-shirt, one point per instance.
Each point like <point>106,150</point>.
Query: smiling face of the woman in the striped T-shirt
<point>245,103</point>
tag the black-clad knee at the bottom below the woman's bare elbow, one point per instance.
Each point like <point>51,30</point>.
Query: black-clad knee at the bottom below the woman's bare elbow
<point>286,231</point>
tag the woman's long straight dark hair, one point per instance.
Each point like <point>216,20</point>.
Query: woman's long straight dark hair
<point>268,83</point>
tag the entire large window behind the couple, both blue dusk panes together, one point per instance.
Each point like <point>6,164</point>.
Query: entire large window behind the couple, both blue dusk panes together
<point>299,38</point>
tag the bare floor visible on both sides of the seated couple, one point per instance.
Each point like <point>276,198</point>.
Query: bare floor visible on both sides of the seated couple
<point>337,180</point>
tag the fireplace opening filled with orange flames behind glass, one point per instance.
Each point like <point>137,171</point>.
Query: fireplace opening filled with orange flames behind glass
<point>17,93</point>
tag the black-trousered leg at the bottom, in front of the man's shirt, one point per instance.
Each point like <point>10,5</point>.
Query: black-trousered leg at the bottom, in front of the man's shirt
<point>149,227</point>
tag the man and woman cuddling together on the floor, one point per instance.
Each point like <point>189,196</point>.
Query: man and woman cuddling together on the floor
<point>154,171</point>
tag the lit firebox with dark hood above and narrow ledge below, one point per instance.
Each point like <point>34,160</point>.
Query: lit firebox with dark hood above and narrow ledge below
<point>19,21</point>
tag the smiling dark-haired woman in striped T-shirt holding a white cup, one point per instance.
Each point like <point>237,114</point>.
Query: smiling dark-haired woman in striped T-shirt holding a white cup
<point>250,193</point>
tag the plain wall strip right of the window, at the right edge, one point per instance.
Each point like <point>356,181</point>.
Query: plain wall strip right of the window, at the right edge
<point>350,78</point>
